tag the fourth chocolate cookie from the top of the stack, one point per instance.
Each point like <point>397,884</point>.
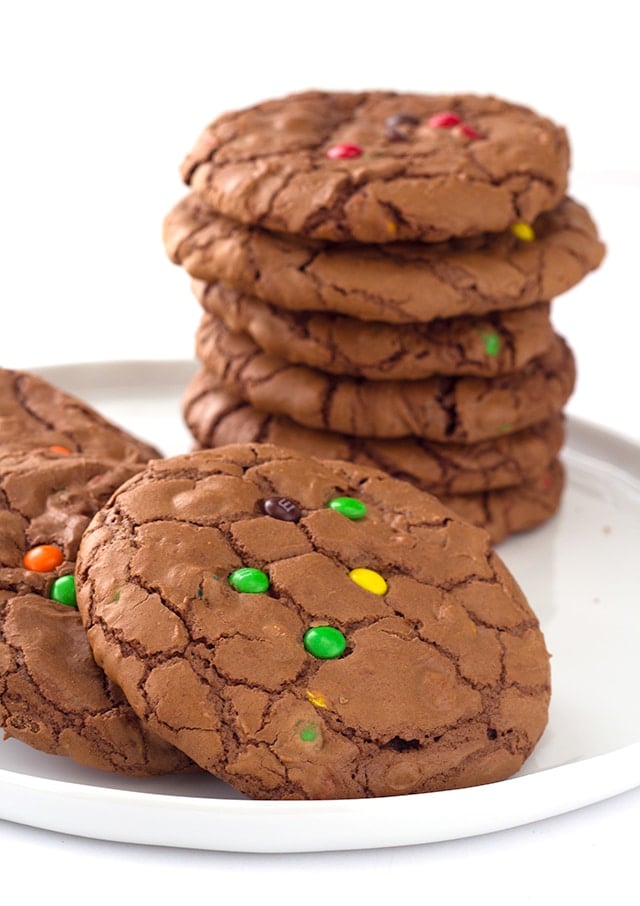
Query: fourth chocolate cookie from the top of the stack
<point>463,409</point>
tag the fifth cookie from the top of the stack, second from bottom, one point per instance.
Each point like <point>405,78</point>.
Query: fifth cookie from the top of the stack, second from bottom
<point>216,417</point>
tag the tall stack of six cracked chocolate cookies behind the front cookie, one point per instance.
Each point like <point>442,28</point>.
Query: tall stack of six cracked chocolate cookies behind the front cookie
<point>376,273</point>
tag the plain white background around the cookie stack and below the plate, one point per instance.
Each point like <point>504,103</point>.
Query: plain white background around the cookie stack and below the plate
<point>100,102</point>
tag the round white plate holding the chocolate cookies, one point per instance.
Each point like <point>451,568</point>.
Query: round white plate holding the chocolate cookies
<point>581,573</point>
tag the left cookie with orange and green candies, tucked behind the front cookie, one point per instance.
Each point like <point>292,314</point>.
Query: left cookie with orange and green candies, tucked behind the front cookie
<point>53,697</point>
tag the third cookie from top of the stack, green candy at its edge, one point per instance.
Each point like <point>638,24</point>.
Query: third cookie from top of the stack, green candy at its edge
<point>493,344</point>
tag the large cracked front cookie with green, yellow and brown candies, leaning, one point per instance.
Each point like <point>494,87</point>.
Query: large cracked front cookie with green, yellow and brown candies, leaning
<point>310,629</point>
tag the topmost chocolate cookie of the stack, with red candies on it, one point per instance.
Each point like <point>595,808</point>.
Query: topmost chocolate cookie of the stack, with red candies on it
<point>380,166</point>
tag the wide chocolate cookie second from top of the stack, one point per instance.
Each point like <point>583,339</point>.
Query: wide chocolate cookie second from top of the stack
<point>397,283</point>
